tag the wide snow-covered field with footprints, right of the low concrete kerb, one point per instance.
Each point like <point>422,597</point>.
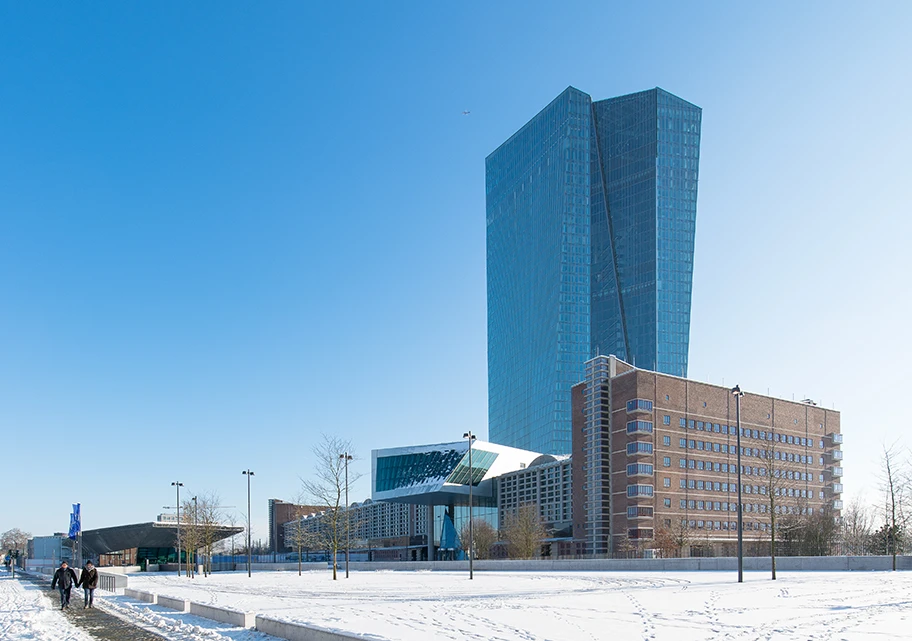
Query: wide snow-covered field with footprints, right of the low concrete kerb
<point>579,606</point>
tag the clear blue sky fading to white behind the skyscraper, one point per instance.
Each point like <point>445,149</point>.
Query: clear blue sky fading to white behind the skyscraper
<point>226,228</point>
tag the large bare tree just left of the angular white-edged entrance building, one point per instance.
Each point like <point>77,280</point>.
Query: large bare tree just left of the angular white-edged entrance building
<point>327,487</point>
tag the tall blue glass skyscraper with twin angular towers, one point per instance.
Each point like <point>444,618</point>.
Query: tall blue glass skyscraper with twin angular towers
<point>591,211</point>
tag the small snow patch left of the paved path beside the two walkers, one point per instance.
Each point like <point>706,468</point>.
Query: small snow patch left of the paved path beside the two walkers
<point>26,612</point>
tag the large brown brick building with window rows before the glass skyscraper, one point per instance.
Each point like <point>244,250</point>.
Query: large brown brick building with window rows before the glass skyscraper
<point>655,458</point>
